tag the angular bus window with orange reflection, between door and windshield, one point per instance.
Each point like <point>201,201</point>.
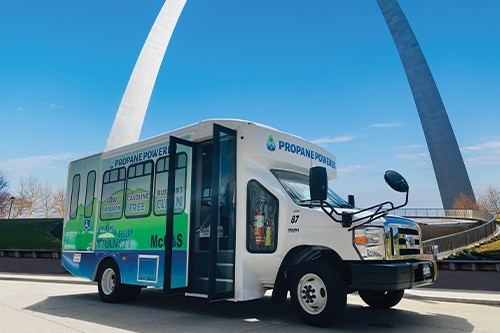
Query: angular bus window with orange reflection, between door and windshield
<point>262,219</point>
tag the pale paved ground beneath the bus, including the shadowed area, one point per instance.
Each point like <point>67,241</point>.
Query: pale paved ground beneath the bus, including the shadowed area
<point>28,306</point>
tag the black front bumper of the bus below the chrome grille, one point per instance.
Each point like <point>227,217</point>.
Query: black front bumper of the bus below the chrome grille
<point>390,275</point>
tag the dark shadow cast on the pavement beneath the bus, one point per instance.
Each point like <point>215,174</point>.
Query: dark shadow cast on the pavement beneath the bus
<point>152,312</point>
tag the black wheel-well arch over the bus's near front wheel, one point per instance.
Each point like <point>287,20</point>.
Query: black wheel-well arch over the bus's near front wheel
<point>295,258</point>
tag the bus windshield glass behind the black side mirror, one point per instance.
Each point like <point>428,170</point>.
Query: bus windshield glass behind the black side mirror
<point>297,187</point>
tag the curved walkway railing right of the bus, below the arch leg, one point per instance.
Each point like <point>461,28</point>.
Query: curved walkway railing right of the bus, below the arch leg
<point>454,242</point>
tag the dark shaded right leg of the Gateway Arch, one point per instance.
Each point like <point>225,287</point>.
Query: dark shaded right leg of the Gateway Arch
<point>447,161</point>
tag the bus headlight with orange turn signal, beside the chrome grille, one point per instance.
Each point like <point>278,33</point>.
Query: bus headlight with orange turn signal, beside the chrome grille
<point>370,242</point>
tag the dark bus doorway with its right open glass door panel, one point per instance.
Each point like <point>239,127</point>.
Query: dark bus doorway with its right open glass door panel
<point>212,262</point>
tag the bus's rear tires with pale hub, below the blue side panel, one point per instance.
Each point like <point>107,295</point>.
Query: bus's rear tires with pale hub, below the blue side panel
<point>111,290</point>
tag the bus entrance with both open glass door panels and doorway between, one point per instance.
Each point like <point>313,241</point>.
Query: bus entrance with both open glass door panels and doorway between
<point>209,215</point>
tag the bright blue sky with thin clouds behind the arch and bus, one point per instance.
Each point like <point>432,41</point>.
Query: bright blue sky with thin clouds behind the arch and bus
<point>324,70</point>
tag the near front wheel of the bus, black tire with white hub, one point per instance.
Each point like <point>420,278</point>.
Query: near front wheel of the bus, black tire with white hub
<point>319,294</point>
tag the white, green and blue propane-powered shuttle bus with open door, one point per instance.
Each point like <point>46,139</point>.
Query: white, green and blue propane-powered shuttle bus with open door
<point>227,209</point>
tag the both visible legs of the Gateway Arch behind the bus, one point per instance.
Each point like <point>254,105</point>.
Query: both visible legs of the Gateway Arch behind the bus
<point>447,161</point>
